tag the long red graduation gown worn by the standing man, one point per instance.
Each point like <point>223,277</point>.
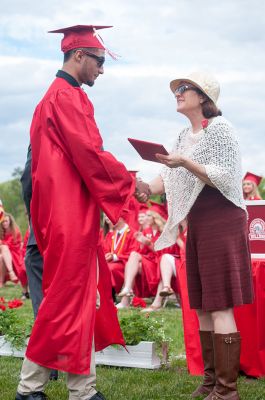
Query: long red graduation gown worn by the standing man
<point>72,178</point>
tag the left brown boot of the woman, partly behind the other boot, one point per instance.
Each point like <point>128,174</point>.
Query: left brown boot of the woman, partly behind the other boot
<point>208,361</point>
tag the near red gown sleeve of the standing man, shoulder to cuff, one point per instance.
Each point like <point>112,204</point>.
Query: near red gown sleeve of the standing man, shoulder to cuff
<point>108,181</point>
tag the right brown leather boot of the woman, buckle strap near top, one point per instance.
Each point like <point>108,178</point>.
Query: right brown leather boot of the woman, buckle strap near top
<point>227,355</point>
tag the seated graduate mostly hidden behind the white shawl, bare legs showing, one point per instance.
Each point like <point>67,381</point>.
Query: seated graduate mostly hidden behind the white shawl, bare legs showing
<point>168,263</point>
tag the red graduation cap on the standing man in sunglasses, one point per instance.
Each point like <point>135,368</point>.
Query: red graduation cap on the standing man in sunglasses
<point>81,36</point>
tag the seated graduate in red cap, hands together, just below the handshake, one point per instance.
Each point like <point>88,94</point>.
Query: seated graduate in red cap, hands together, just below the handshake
<point>141,268</point>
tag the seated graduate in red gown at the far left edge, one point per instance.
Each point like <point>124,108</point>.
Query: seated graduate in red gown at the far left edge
<point>12,265</point>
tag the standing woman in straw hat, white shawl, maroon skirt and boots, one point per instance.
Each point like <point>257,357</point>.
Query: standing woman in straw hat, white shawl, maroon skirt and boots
<point>202,181</point>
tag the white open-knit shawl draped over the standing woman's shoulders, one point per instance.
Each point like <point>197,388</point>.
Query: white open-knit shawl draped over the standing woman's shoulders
<point>218,150</point>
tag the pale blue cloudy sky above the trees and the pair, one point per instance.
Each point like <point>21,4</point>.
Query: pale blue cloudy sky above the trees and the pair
<point>158,40</point>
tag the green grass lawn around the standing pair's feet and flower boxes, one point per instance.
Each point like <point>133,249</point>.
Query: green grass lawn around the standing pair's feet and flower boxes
<point>169,383</point>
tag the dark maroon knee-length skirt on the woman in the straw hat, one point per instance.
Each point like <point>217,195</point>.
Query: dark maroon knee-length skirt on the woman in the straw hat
<point>217,254</point>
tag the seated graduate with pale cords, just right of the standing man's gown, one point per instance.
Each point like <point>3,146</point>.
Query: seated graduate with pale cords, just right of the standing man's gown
<point>118,245</point>
